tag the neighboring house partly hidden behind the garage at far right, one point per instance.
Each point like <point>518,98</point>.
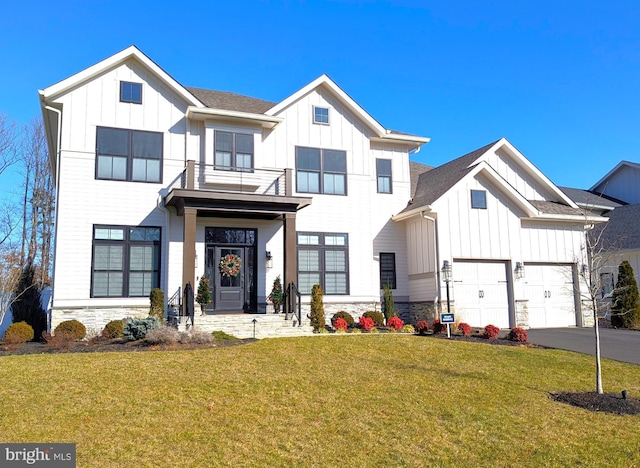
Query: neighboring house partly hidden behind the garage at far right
<point>617,197</point>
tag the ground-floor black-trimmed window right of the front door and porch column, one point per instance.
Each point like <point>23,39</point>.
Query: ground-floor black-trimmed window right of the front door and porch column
<point>323,258</point>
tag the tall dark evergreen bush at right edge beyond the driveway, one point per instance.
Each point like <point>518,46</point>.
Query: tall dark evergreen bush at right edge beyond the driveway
<point>625,307</point>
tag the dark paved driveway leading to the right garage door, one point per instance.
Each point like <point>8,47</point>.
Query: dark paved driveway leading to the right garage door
<point>620,345</point>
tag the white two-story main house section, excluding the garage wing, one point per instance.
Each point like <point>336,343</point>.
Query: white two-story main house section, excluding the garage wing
<point>158,184</point>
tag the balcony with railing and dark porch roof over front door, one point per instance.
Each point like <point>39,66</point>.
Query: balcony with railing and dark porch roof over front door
<point>229,192</point>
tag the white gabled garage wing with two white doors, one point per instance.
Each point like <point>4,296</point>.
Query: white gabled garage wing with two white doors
<point>514,240</point>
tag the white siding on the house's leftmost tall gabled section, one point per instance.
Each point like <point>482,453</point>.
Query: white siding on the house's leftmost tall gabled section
<point>84,201</point>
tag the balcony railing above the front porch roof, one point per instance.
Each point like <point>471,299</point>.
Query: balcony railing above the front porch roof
<point>274,182</point>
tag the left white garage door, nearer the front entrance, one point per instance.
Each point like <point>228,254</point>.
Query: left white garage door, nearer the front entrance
<point>481,294</point>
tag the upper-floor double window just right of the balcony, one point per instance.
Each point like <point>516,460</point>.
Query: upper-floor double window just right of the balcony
<point>321,171</point>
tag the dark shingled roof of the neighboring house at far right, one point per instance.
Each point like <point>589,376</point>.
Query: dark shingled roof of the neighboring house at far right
<point>622,231</point>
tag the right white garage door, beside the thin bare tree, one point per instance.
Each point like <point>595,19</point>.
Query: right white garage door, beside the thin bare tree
<point>549,290</point>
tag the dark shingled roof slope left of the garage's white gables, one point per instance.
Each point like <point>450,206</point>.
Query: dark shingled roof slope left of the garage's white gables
<point>435,183</point>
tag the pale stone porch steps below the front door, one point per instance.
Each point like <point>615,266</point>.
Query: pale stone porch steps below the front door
<point>241,325</point>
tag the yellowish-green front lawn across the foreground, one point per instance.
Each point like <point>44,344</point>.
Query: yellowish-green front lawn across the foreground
<point>351,400</point>
